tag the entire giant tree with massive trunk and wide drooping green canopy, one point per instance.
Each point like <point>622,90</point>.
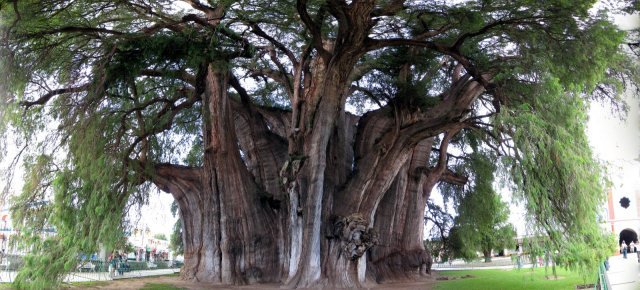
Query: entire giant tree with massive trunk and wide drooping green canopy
<point>238,109</point>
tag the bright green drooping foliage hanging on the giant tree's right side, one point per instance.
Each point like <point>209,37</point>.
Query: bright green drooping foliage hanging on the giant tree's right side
<point>555,173</point>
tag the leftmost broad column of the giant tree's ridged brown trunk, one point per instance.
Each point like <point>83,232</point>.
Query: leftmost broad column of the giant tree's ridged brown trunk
<point>231,229</point>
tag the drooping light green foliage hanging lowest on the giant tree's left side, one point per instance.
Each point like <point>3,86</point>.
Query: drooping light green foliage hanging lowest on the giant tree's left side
<point>82,205</point>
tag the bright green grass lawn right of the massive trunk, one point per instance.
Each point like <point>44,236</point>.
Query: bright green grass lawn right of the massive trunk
<point>524,279</point>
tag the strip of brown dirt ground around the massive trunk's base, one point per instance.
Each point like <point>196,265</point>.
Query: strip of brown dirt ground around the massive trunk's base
<point>137,283</point>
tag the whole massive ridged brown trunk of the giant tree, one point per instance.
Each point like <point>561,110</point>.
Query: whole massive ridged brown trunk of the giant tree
<point>315,196</point>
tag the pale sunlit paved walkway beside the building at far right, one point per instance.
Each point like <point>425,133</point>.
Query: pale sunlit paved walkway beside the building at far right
<point>624,274</point>
